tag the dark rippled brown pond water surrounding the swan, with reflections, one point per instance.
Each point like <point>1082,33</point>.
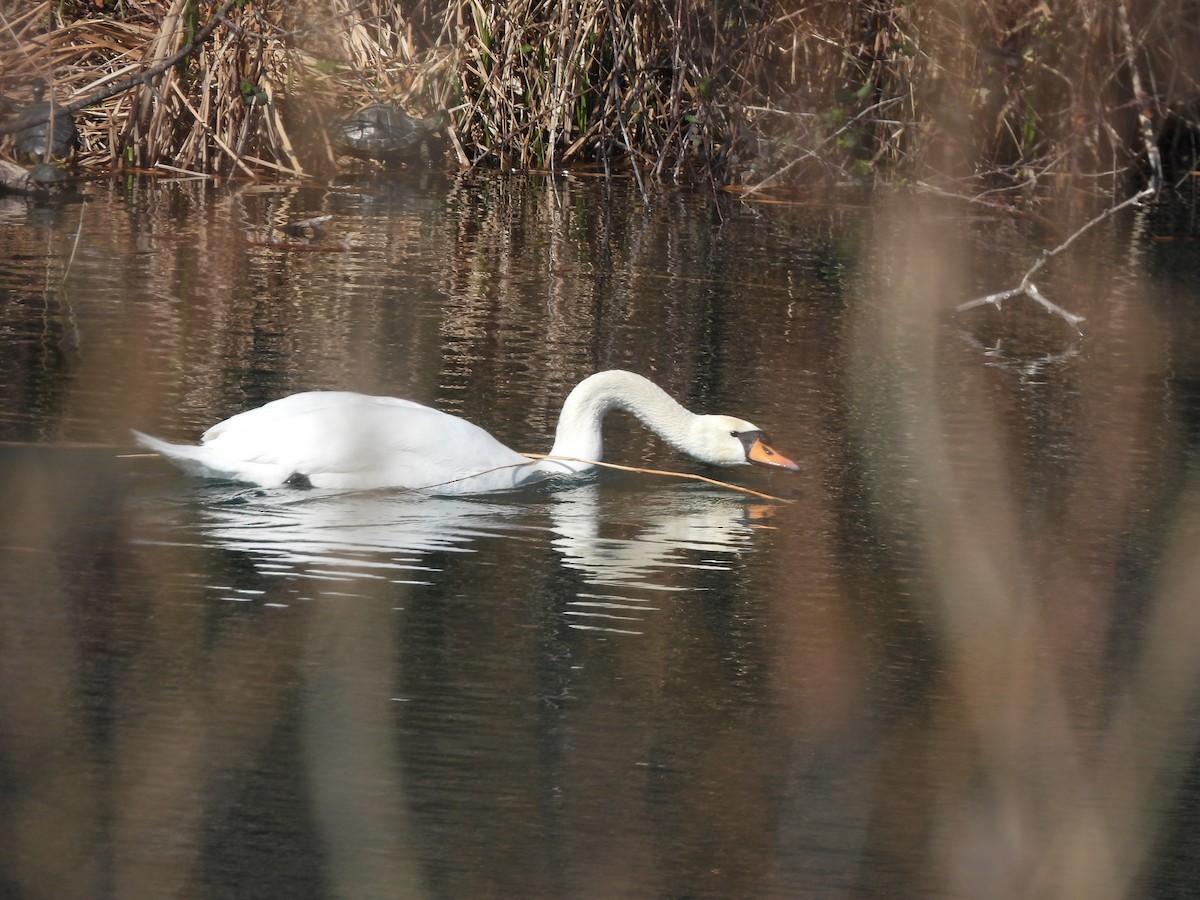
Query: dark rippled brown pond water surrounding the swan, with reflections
<point>958,658</point>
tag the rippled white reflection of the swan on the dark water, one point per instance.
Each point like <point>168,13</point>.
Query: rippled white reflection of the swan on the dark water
<point>627,547</point>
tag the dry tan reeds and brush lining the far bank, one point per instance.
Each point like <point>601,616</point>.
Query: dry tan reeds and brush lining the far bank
<point>757,99</point>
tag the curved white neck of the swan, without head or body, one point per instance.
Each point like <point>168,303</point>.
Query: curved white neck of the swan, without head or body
<point>579,434</point>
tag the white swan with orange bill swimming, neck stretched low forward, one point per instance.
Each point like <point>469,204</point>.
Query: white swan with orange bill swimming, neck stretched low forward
<point>357,442</point>
